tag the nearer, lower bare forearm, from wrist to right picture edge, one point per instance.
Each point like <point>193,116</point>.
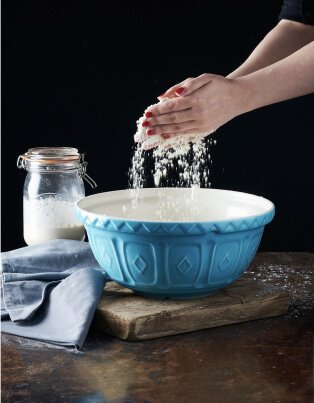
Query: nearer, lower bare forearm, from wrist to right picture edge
<point>288,78</point>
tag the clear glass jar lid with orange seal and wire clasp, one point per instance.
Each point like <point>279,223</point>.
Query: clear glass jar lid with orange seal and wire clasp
<point>55,159</point>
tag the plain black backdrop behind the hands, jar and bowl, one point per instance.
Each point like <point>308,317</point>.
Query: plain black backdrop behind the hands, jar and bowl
<point>79,73</point>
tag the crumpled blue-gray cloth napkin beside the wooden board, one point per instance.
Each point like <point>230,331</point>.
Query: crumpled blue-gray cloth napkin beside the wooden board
<point>50,291</point>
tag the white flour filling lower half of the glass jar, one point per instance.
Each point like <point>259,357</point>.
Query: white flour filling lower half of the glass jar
<point>50,218</point>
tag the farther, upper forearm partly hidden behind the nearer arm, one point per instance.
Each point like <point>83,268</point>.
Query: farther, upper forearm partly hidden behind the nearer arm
<point>283,40</point>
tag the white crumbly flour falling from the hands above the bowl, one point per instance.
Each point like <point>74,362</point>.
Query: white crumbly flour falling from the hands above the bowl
<point>181,161</point>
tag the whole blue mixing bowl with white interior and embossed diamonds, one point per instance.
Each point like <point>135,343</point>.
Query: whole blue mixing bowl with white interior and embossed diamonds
<point>174,242</point>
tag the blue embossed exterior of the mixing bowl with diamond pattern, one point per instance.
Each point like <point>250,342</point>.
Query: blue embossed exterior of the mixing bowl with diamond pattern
<point>174,260</point>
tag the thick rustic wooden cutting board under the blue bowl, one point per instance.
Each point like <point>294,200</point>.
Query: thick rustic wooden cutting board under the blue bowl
<point>128,316</point>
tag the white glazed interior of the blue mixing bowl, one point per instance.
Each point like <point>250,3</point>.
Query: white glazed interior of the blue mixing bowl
<point>175,204</point>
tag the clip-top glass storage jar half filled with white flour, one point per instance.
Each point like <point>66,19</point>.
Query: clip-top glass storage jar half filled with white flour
<point>52,187</point>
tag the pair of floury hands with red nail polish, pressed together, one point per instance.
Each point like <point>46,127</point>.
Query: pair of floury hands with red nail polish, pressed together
<point>193,108</point>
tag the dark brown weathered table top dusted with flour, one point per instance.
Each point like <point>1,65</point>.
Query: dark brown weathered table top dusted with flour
<point>269,360</point>
